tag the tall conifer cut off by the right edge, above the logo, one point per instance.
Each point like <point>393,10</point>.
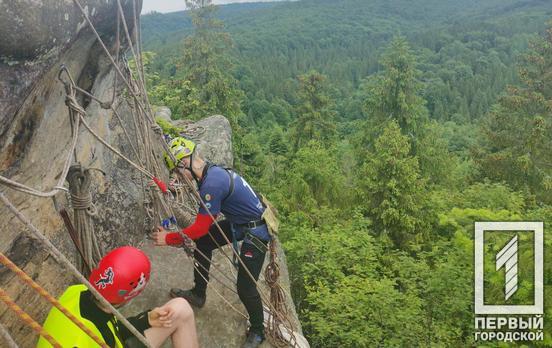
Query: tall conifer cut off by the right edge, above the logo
<point>519,129</point>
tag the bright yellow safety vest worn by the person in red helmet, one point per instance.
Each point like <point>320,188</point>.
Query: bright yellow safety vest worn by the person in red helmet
<point>64,331</point>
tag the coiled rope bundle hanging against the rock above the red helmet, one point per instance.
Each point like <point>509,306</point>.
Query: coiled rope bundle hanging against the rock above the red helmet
<point>83,211</point>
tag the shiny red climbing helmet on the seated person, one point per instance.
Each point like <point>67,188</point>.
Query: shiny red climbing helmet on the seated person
<point>121,274</point>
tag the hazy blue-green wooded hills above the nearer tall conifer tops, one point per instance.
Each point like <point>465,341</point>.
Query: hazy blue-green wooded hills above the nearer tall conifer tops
<point>462,44</point>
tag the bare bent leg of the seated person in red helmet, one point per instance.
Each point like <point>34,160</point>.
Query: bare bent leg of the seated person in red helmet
<point>182,332</point>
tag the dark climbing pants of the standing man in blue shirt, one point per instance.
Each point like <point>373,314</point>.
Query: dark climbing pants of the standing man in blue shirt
<point>252,257</point>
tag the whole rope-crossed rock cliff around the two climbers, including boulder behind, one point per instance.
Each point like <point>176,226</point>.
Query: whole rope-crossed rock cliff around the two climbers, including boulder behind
<point>34,140</point>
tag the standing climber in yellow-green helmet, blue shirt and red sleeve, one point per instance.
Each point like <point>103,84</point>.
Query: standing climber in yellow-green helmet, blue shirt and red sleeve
<point>222,191</point>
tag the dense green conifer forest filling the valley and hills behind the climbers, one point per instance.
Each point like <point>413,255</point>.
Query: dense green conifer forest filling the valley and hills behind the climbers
<point>382,130</point>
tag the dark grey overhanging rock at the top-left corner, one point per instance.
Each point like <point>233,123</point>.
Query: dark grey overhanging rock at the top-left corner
<point>36,33</point>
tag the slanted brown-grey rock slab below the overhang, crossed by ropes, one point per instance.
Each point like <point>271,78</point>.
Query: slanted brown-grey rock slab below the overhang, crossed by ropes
<point>35,145</point>
